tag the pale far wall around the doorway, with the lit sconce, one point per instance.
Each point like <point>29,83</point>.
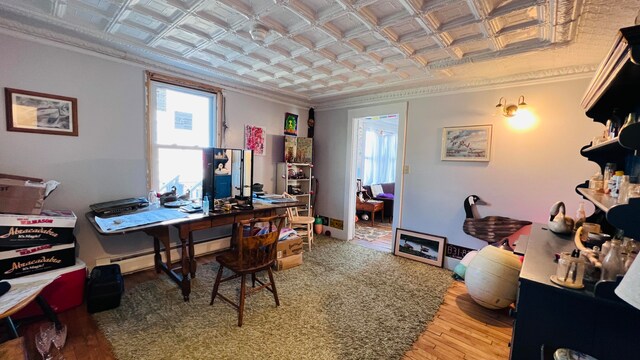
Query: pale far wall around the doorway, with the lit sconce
<point>528,171</point>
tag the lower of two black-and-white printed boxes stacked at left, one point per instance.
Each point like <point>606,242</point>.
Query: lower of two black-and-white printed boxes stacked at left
<point>27,261</point>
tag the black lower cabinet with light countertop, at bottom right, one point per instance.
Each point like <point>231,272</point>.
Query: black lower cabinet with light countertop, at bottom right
<point>549,317</point>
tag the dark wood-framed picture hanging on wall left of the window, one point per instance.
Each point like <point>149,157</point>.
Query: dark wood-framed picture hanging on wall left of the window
<point>34,112</point>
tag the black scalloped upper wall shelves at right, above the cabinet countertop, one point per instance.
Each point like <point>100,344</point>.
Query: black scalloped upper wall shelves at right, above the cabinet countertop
<point>613,90</point>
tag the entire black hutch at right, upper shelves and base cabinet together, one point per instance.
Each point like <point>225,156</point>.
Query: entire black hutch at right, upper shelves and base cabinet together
<point>548,316</point>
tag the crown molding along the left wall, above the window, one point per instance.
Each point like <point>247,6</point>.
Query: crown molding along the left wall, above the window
<point>226,80</point>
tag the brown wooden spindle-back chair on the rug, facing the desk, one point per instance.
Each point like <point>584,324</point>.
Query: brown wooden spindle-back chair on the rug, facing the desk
<point>252,254</point>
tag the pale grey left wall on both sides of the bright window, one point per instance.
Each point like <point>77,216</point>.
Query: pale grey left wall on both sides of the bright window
<point>107,160</point>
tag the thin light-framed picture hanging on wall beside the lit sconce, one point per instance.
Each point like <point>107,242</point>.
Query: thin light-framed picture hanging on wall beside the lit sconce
<point>466,143</point>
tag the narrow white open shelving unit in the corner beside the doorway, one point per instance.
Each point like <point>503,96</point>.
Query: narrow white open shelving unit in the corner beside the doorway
<point>291,176</point>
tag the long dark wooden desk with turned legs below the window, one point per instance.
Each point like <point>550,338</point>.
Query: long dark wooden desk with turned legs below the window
<point>183,271</point>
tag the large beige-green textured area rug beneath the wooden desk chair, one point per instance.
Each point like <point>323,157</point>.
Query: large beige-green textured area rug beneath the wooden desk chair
<point>343,302</point>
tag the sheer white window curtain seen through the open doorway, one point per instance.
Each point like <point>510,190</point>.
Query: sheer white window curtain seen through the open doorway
<point>379,157</point>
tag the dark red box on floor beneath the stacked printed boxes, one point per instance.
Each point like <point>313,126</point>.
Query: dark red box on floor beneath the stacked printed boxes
<point>64,293</point>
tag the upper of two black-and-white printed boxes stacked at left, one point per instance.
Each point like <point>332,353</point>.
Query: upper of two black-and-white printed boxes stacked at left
<point>50,227</point>
